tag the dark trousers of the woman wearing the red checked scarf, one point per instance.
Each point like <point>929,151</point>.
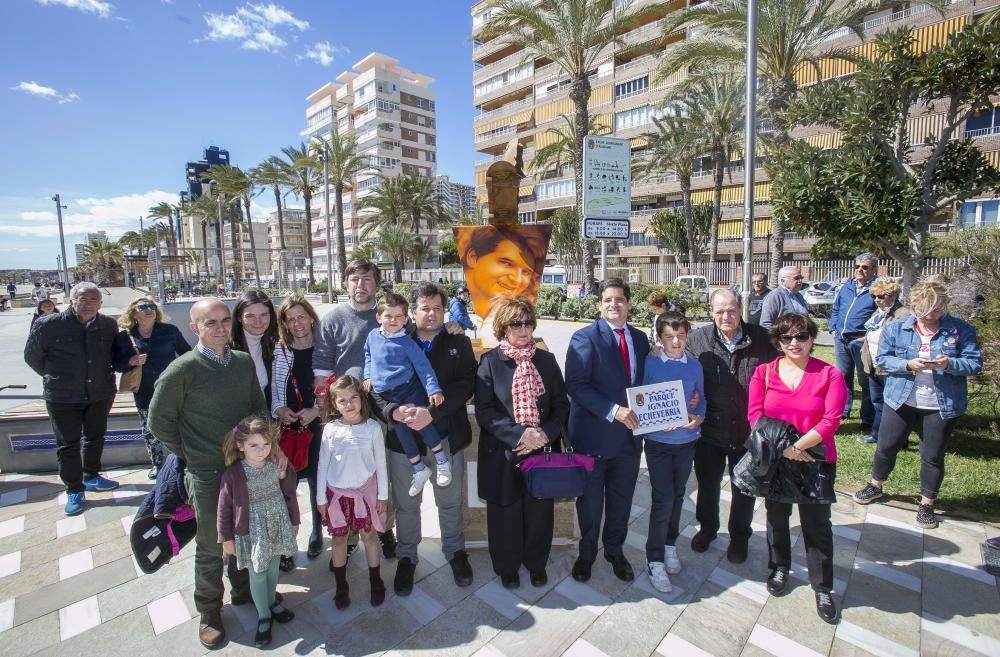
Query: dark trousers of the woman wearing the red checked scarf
<point>519,533</point>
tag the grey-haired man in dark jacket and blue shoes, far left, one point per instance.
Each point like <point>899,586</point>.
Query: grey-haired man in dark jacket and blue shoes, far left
<point>74,351</point>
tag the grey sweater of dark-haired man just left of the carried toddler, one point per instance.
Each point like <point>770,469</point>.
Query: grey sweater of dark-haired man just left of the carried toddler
<point>340,340</point>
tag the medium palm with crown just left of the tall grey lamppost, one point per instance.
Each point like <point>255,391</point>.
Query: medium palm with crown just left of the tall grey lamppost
<point>713,103</point>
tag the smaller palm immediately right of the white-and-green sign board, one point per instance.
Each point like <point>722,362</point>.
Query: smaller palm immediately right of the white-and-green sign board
<point>674,147</point>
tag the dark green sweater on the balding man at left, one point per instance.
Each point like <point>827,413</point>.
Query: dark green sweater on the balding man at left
<point>196,402</point>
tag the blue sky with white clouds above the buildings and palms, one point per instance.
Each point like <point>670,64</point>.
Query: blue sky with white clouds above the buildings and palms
<point>103,101</point>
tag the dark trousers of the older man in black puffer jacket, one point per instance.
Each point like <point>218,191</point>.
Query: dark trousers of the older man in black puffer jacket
<point>709,464</point>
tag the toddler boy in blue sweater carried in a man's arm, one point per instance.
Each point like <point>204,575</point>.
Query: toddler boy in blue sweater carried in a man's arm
<point>398,369</point>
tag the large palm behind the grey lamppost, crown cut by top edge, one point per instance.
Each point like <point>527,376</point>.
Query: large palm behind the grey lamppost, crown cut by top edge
<point>788,35</point>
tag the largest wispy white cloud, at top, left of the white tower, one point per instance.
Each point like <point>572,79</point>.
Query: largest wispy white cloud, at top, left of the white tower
<point>263,27</point>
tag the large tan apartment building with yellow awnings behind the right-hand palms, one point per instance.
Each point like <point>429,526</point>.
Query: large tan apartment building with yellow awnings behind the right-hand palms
<point>522,99</point>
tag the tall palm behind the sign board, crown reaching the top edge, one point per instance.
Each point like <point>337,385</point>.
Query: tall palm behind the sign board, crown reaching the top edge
<point>573,34</point>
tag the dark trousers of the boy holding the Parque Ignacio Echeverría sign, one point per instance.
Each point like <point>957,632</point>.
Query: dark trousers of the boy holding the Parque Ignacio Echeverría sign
<point>669,468</point>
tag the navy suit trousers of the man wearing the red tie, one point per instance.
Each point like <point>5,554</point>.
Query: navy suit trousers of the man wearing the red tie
<point>608,493</point>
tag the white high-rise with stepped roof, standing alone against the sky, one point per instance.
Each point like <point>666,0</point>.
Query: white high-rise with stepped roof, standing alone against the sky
<point>390,110</point>
